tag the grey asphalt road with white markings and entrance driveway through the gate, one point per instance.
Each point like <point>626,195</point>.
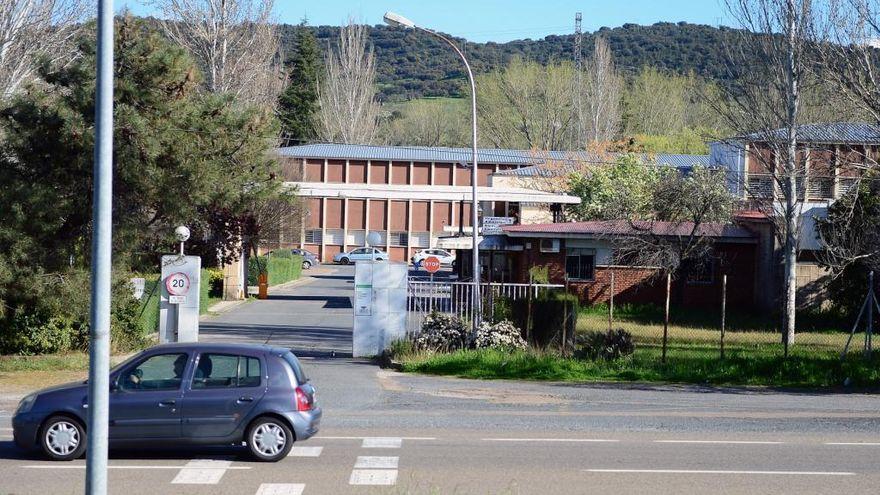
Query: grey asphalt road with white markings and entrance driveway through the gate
<point>391,433</point>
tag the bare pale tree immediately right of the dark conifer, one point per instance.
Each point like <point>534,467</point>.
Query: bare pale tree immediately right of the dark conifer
<point>349,109</point>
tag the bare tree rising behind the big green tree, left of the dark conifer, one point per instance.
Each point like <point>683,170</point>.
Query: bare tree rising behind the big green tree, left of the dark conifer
<point>234,41</point>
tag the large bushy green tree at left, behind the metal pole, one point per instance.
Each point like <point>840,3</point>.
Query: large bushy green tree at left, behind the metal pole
<point>179,156</point>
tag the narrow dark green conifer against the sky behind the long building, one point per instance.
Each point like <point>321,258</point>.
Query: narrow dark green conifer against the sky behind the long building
<point>298,104</point>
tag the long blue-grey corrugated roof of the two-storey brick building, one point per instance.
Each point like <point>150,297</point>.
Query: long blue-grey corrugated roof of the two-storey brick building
<point>464,155</point>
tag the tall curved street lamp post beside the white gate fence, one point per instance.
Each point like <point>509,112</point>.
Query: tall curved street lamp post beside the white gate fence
<point>398,20</point>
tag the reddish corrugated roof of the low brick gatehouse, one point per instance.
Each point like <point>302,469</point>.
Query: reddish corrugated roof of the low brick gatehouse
<point>624,227</point>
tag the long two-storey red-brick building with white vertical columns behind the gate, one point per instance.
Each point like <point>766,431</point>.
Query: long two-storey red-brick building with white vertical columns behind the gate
<point>411,196</point>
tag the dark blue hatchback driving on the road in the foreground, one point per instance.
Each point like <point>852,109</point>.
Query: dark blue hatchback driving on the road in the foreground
<point>208,394</point>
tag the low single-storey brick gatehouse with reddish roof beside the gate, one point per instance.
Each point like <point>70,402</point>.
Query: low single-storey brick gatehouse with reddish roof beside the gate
<point>583,253</point>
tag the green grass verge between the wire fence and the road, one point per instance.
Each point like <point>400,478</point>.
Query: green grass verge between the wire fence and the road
<point>693,365</point>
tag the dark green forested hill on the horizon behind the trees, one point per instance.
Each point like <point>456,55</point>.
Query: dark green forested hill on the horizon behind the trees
<point>411,64</point>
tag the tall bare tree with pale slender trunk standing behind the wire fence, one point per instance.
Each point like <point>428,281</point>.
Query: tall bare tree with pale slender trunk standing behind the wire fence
<point>770,59</point>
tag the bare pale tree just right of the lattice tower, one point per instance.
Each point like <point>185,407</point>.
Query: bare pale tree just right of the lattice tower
<point>602,92</point>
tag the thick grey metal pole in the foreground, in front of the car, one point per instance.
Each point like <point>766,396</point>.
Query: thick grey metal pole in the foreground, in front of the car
<point>99,345</point>
